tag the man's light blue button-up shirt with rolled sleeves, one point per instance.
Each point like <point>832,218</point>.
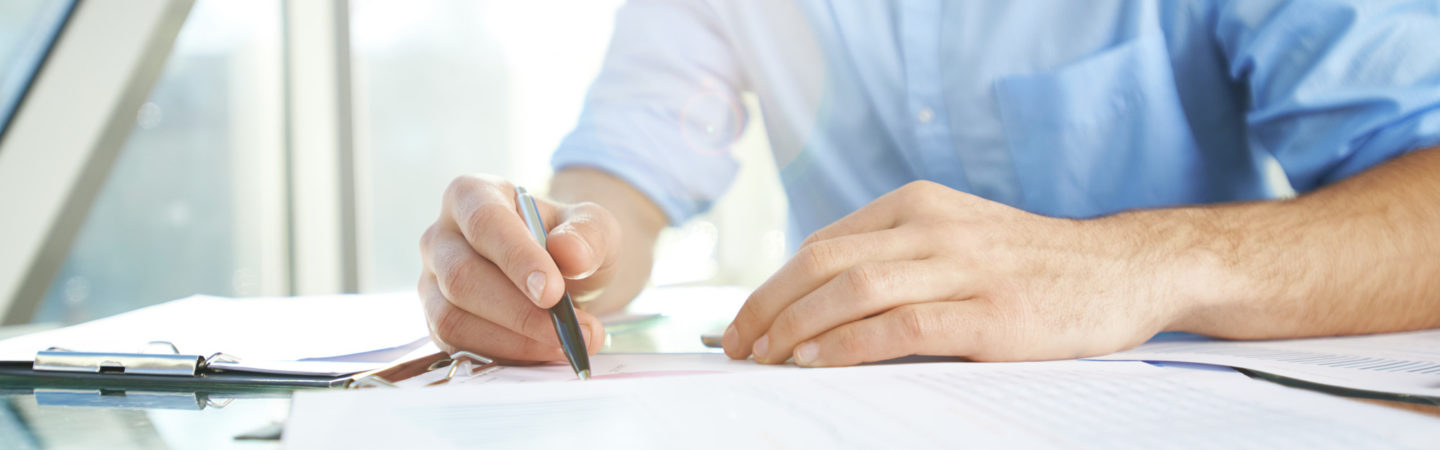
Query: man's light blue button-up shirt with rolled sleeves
<point>1063,109</point>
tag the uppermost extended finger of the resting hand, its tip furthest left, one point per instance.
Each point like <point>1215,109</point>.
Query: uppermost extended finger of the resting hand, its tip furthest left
<point>814,266</point>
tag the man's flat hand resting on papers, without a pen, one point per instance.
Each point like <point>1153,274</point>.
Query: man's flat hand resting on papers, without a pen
<point>930,270</point>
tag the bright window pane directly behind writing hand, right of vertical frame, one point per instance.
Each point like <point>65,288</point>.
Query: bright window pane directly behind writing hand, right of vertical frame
<point>453,87</point>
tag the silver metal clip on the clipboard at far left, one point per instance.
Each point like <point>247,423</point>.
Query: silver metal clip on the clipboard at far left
<point>169,364</point>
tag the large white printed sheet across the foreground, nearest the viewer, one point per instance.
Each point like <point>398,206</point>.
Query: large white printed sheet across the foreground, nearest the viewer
<point>927,406</point>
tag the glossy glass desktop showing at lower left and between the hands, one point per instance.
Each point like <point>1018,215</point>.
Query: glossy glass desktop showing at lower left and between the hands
<point>28,425</point>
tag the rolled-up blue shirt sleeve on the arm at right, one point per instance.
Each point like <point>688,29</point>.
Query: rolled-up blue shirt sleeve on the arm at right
<point>1336,87</point>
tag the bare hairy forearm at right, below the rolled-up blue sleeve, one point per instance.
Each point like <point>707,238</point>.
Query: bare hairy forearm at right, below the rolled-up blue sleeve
<point>1357,257</point>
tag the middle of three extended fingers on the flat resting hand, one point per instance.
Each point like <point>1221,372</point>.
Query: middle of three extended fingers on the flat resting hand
<point>858,294</point>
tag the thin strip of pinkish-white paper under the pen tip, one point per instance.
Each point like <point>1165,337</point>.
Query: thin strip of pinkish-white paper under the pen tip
<point>608,367</point>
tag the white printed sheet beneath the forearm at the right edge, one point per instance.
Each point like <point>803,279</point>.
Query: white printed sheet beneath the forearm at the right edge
<point>1395,363</point>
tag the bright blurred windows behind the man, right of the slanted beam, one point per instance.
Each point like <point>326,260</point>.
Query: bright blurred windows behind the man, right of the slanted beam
<point>207,195</point>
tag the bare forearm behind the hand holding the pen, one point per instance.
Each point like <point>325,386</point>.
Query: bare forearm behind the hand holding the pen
<point>640,221</point>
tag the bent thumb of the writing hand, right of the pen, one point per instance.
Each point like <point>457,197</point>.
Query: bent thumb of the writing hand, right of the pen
<point>585,244</point>
